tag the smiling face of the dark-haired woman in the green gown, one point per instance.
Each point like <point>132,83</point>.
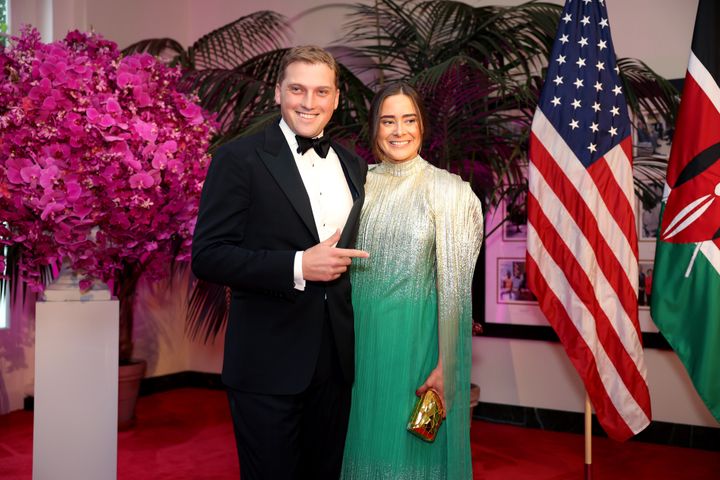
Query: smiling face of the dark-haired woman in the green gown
<point>399,134</point>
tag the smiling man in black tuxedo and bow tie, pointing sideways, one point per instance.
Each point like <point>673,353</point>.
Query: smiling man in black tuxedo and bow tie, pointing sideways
<point>278,215</point>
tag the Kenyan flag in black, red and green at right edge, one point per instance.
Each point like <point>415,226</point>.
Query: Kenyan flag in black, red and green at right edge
<point>685,301</point>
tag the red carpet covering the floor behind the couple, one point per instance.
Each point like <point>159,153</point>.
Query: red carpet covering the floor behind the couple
<point>186,434</point>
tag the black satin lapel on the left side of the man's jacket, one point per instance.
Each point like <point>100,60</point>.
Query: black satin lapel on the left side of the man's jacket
<point>278,159</point>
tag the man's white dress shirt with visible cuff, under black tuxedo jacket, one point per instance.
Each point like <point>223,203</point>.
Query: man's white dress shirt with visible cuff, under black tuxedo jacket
<point>327,189</point>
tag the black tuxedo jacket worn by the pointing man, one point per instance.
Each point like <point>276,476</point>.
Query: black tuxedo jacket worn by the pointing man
<point>254,216</point>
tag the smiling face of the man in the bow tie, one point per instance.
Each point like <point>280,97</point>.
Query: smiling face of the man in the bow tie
<point>307,97</point>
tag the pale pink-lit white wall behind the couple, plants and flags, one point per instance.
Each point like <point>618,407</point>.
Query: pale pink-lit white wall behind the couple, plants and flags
<point>513,372</point>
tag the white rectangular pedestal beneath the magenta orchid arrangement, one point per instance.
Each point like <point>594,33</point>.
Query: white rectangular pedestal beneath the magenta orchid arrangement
<point>76,390</point>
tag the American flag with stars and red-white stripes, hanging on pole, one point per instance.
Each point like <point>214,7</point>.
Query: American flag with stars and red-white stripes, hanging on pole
<point>582,258</point>
